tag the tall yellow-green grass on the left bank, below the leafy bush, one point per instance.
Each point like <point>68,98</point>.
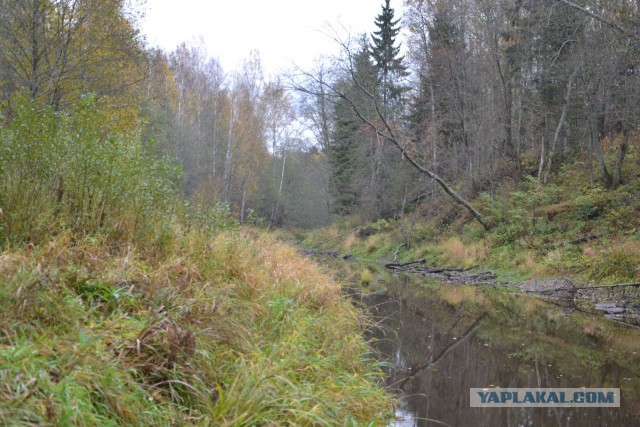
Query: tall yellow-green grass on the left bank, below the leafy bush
<point>233,330</point>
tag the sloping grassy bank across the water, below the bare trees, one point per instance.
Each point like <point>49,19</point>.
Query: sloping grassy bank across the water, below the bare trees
<point>562,228</point>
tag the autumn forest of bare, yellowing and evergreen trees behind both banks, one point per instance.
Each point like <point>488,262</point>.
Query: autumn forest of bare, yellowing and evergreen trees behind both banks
<point>482,92</point>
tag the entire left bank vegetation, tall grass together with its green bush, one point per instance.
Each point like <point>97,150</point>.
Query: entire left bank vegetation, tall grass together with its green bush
<point>121,304</point>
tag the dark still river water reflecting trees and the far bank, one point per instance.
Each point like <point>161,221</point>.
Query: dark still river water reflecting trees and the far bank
<point>441,340</point>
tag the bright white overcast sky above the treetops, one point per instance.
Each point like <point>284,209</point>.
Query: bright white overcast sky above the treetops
<point>283,31</point>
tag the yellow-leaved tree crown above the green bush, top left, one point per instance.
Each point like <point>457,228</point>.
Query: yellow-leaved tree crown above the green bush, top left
<point>59,50</point>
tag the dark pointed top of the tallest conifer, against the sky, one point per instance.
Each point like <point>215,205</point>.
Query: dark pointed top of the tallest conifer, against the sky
<point>386,56</point>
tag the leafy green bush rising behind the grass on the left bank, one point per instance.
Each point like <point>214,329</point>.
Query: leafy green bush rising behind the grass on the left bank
<point>74,170</point>
